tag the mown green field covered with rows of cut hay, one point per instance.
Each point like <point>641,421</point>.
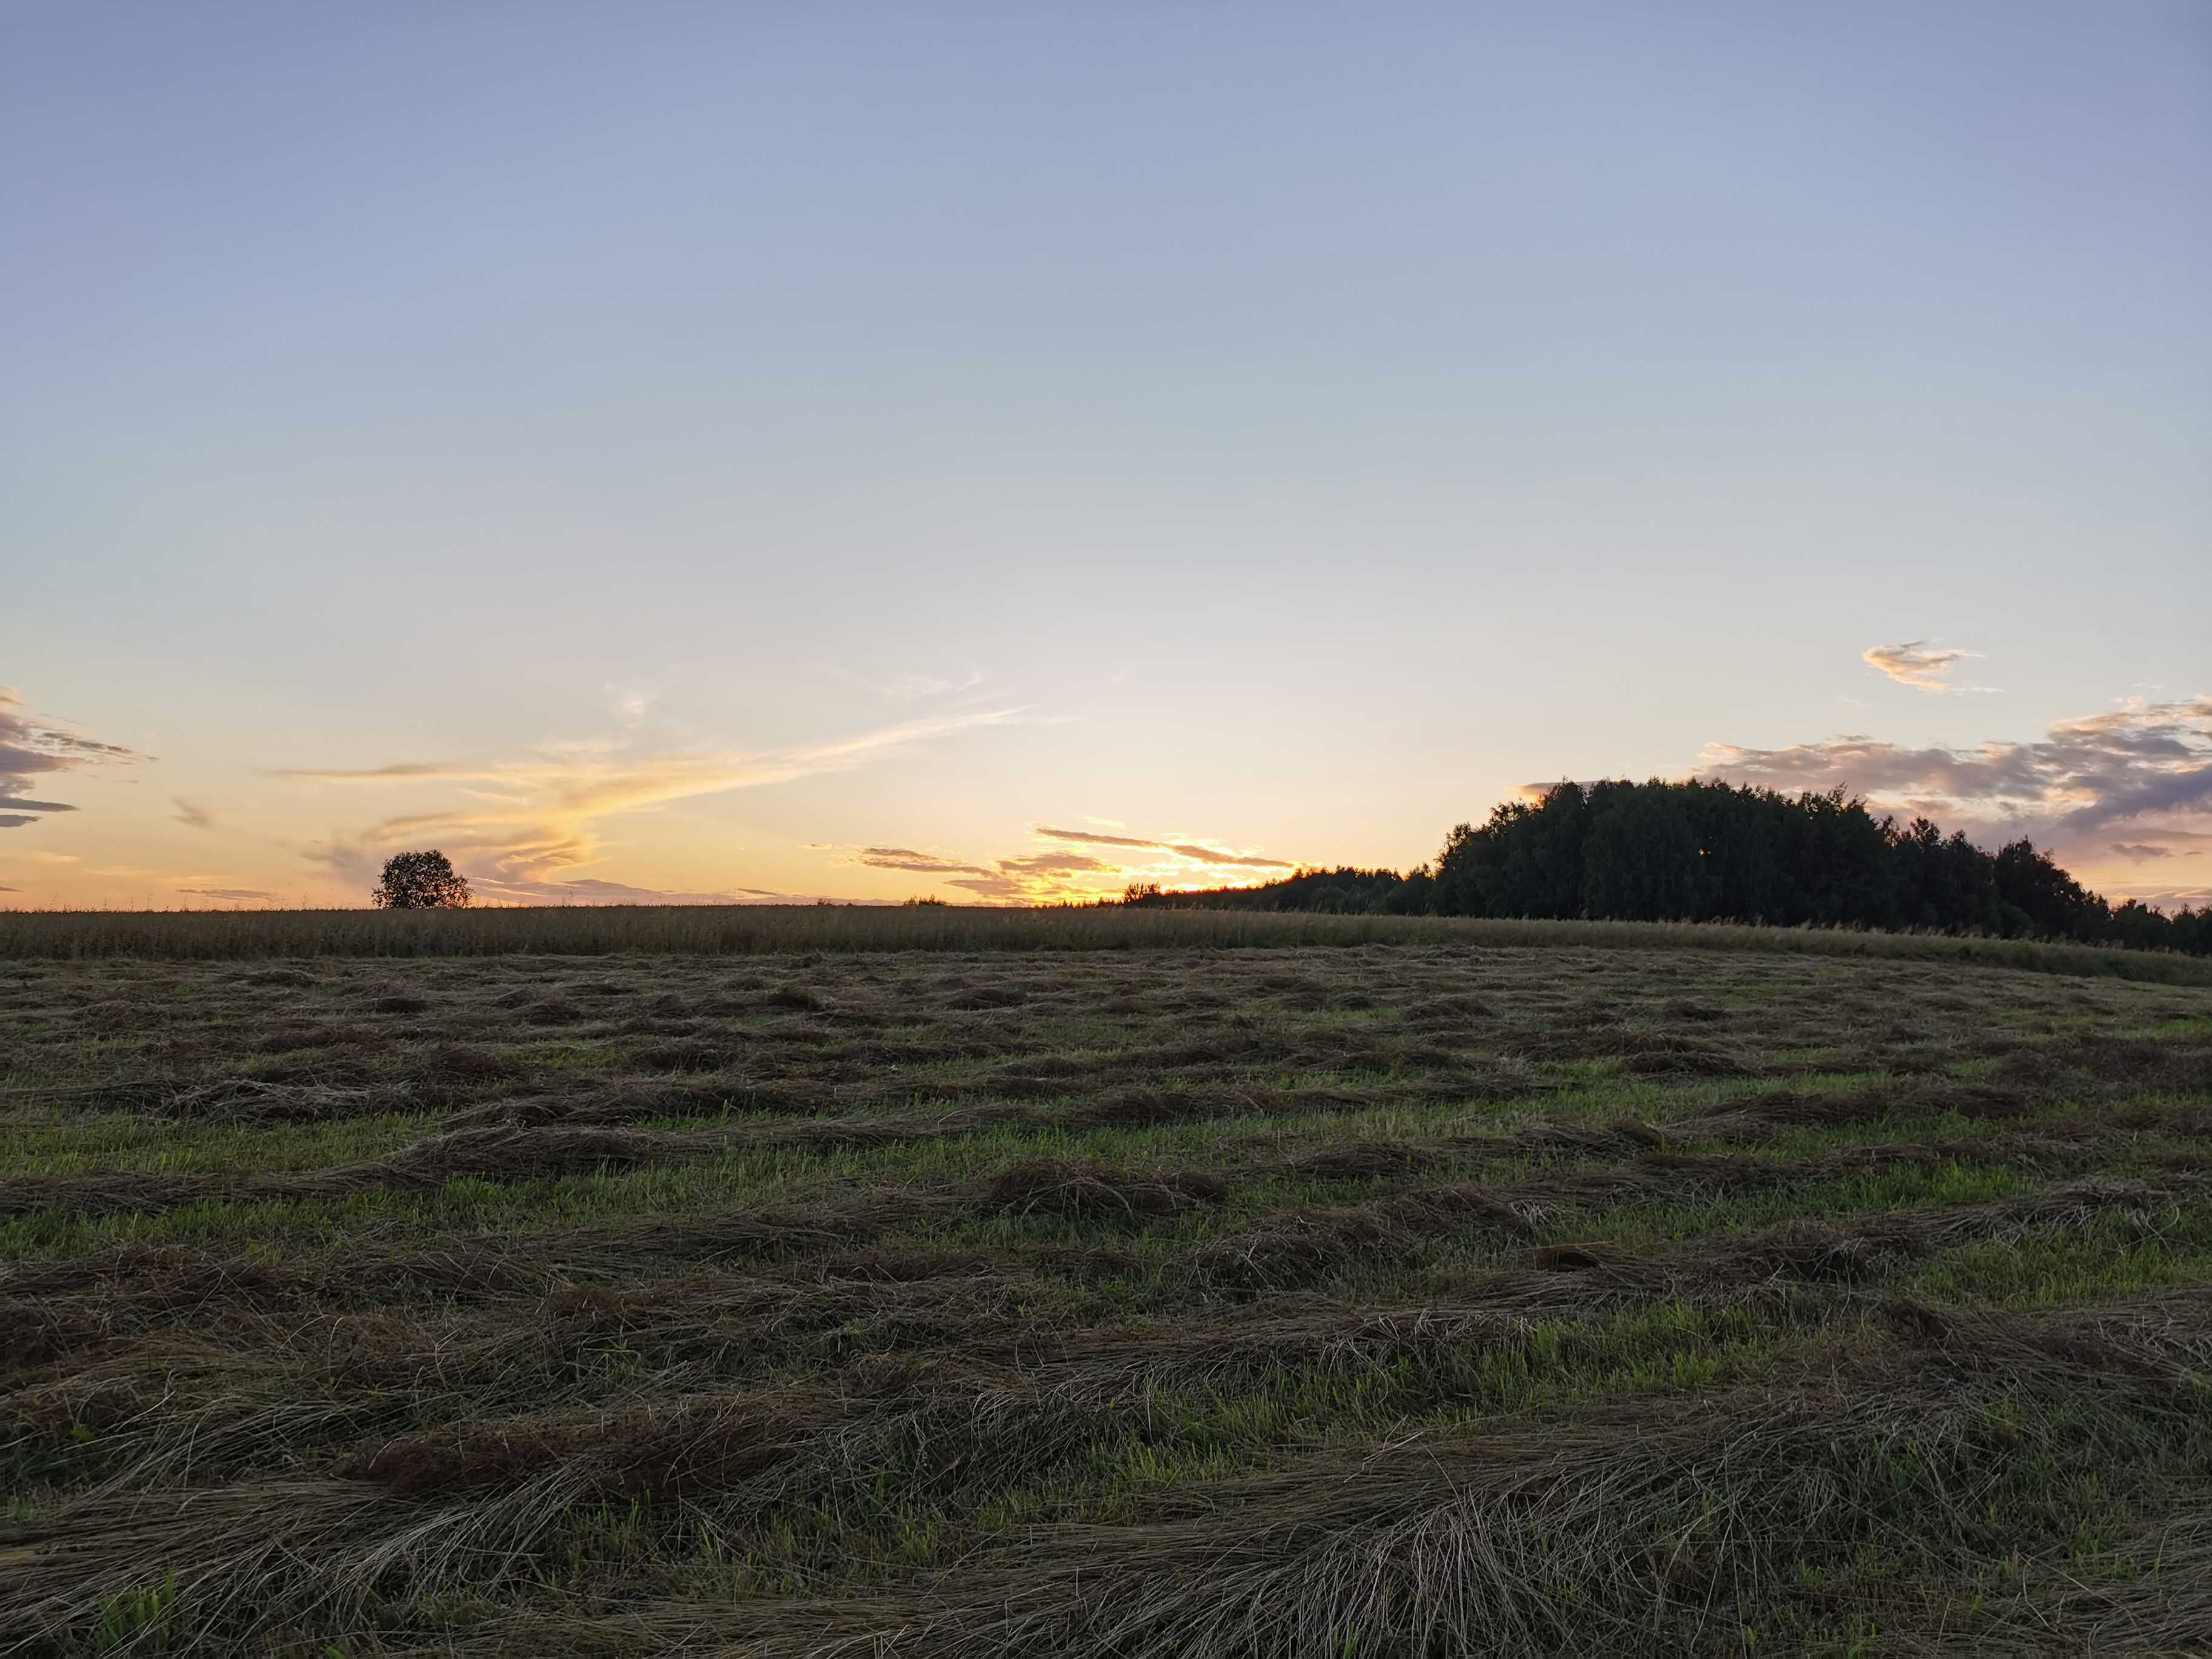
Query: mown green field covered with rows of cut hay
<point>1395,1300</point>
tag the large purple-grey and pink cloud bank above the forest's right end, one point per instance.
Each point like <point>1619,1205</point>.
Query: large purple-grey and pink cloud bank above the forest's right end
<point>2129,784</point>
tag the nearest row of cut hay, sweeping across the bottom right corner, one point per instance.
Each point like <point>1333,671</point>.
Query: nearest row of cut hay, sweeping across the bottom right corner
<point>1653,1525</point>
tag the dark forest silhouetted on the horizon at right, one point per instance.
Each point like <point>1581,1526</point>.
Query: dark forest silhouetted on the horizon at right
<point>1715,853</point>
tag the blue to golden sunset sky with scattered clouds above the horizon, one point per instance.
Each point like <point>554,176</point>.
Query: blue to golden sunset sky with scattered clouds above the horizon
<point>735,452</point>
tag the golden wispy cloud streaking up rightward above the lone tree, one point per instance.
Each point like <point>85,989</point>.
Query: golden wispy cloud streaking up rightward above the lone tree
<point>532,822</point>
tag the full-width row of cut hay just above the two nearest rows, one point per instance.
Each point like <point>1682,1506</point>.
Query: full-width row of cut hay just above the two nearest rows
<point>176,1404</point>
